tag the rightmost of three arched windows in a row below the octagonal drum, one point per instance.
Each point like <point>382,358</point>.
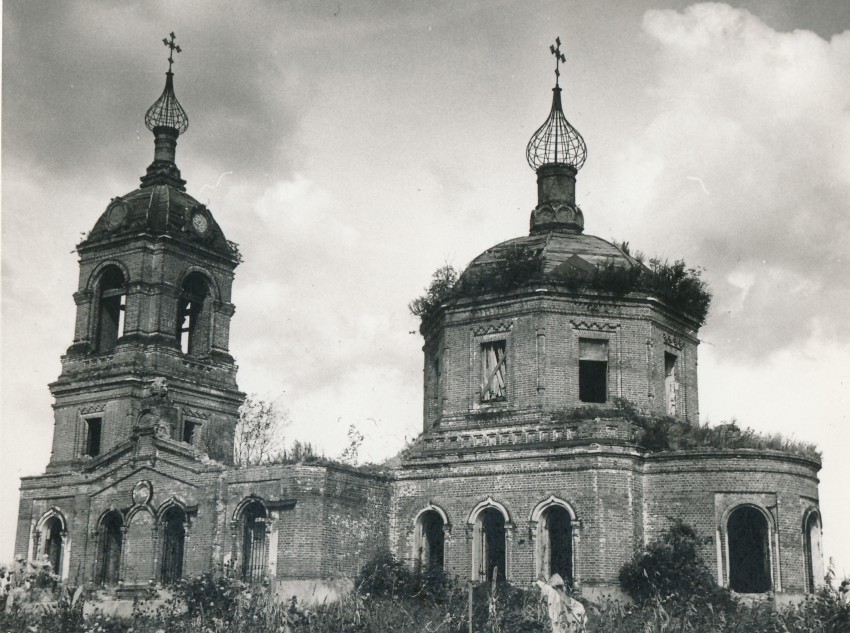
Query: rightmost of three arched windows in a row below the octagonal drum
<point>554,522</point>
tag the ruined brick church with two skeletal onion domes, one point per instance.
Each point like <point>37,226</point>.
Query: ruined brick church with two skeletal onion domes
<point>141,487</point>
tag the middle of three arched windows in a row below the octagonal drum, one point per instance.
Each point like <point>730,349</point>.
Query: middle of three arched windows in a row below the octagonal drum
<point>489,522</point>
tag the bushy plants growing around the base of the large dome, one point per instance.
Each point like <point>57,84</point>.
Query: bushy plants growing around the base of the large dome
<point>676,284</point>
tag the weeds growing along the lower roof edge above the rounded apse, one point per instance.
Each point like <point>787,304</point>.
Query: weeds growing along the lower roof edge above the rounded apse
<point>663,433</point>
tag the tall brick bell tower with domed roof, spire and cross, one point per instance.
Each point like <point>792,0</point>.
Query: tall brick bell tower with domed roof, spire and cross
<point>150,351</point>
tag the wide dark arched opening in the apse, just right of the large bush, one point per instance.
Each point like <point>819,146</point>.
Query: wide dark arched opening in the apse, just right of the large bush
<point>749,551</point>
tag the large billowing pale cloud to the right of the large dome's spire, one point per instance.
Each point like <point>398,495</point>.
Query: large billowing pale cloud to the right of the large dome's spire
<point>761,120</point>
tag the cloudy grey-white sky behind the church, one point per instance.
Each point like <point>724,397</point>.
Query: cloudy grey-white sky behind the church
<point>352,148</point>
